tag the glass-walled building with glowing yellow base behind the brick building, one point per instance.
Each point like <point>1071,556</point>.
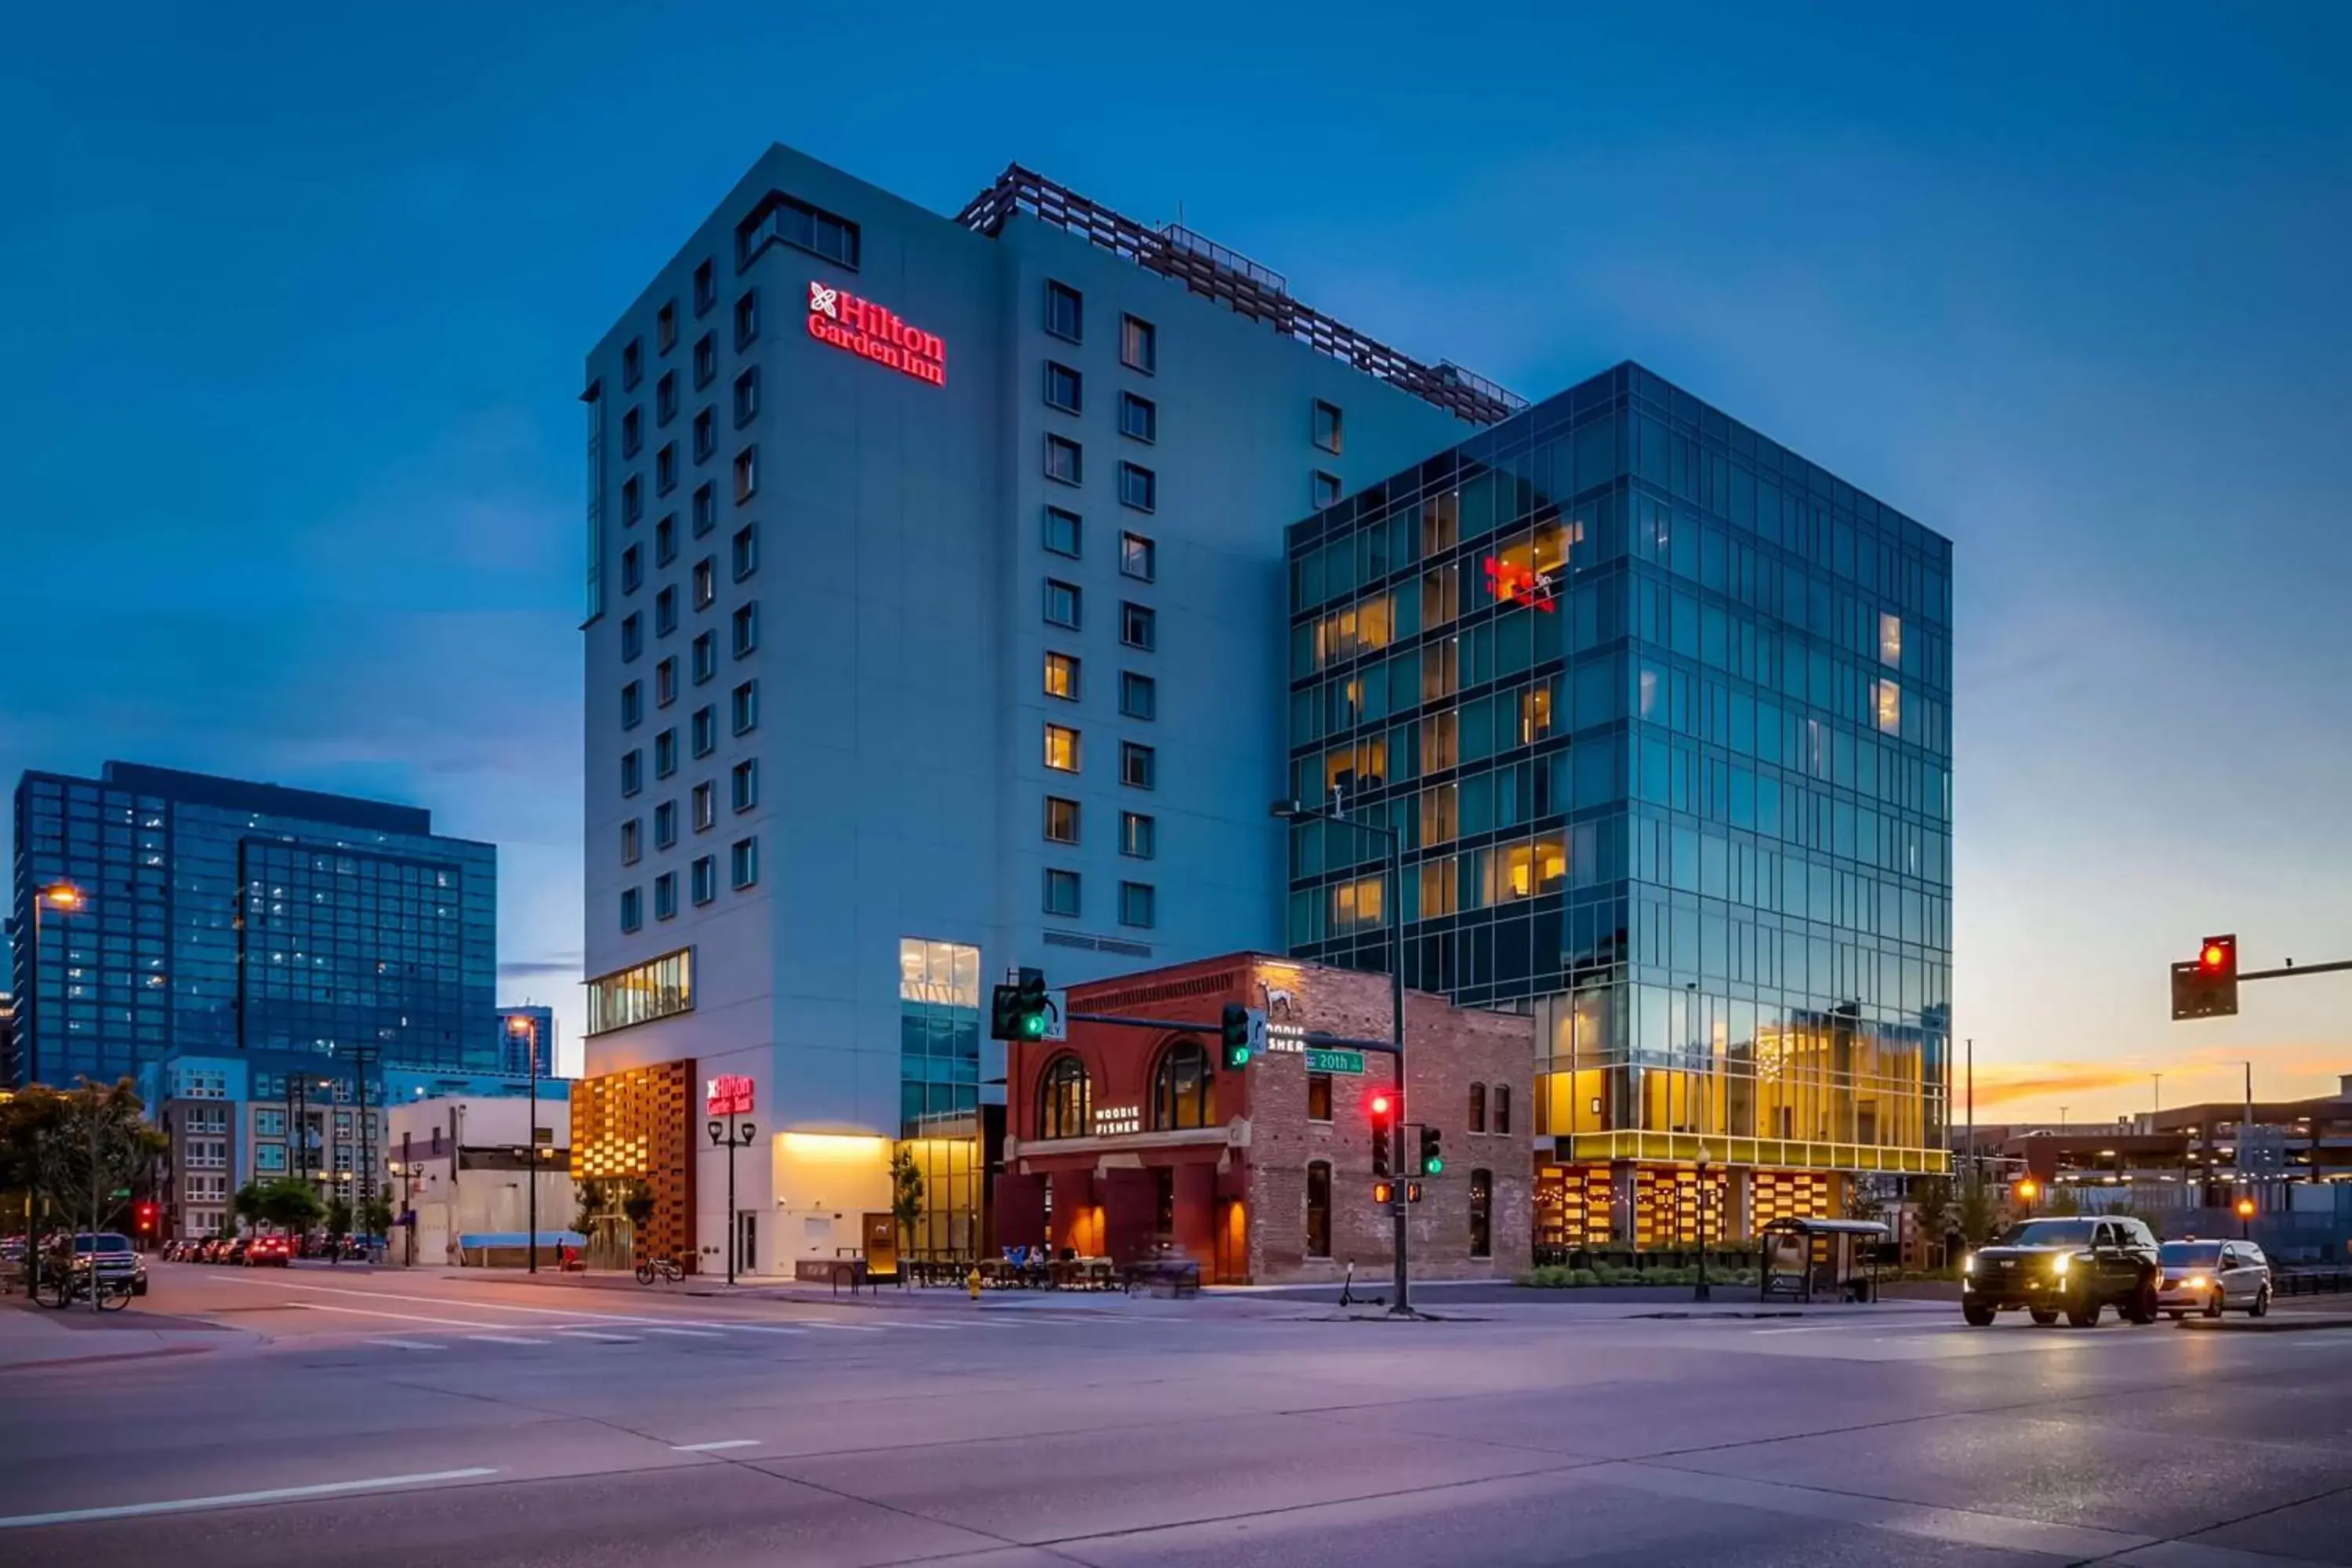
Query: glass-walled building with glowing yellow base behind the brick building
<point>1662,713</point>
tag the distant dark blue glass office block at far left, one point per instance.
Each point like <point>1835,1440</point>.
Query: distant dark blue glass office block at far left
<point>220,918</point>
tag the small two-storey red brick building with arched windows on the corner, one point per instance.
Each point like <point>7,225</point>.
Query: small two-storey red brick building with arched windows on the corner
<point>1121,1139</point>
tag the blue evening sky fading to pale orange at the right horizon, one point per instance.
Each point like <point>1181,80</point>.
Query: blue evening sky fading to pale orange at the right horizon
<point>298,302</point>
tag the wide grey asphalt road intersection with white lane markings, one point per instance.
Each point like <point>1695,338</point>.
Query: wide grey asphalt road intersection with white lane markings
<point>406,1419</point>
